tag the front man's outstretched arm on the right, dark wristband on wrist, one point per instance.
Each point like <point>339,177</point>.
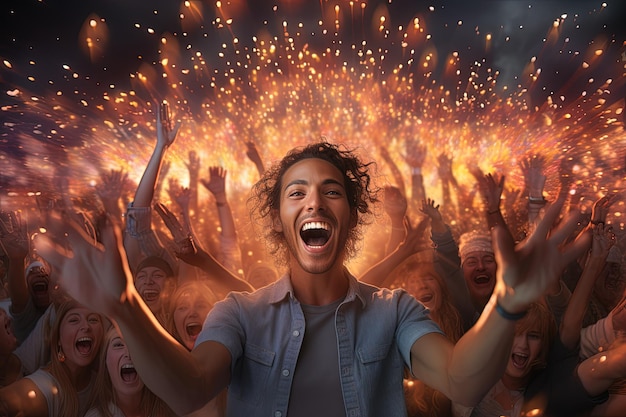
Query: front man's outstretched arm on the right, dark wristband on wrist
<point>466,371</point>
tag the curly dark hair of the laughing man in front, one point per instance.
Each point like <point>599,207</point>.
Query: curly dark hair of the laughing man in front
<point>360,192</point>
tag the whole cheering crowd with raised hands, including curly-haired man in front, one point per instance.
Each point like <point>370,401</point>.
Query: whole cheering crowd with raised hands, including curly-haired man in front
<point>494,303</point>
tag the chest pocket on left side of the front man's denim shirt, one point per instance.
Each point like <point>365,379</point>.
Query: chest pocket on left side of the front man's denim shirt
<point>254,371</point>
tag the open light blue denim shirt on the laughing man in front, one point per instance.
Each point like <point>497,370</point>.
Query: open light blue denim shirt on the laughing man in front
<point>264,330</point>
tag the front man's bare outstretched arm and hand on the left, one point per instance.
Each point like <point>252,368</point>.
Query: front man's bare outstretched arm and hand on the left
<point>96,274</point>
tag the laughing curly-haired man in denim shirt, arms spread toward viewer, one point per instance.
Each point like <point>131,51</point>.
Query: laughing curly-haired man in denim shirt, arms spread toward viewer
<point>317,341</point>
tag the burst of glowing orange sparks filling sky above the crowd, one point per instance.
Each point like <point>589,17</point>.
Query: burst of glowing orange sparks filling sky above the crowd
<point>367,74</point>
